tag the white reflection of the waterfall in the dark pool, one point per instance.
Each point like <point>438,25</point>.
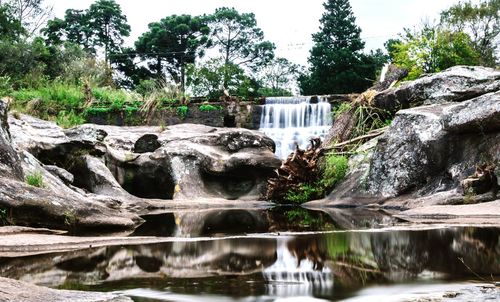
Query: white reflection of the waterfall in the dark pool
<point>287,277</point>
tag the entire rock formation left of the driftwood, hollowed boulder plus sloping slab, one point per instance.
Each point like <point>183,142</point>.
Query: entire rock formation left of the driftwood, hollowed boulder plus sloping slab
<point>102,177</point>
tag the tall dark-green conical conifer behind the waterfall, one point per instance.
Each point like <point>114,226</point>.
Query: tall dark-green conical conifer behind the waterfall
<point>337,63</point>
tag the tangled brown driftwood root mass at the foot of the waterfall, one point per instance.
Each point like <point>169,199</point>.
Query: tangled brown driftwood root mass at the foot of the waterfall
<point>299,168</point>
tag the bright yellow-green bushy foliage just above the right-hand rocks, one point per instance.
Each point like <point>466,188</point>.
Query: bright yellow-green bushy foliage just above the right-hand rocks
<point>432,50</point>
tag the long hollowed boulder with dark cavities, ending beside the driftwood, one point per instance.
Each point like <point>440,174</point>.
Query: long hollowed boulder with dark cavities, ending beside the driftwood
<point>135,163</point>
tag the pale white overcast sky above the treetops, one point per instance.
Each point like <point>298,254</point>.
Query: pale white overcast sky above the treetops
<point>287,23</point>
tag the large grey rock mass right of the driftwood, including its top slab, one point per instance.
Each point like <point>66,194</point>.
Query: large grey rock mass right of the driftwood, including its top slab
<point>444,150</point>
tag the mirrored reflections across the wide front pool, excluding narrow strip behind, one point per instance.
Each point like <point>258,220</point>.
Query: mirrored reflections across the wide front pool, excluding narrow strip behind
<point>330,266</point>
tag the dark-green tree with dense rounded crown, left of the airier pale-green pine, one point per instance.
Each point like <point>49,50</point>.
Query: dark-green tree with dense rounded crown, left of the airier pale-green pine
<point>172,44</point>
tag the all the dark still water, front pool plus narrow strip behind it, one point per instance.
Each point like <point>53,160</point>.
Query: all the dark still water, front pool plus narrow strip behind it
<point>268,255</point>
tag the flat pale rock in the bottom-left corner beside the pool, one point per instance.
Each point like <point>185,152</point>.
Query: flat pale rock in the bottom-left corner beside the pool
<point>13,290</point>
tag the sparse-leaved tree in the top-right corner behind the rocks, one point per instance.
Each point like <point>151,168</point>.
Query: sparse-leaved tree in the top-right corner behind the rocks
<point>481,22</point>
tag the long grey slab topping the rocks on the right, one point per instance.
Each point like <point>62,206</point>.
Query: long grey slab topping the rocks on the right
<point>455,84</point>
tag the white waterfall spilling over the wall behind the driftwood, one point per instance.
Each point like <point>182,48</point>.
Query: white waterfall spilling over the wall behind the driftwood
<point>294,120</point>
